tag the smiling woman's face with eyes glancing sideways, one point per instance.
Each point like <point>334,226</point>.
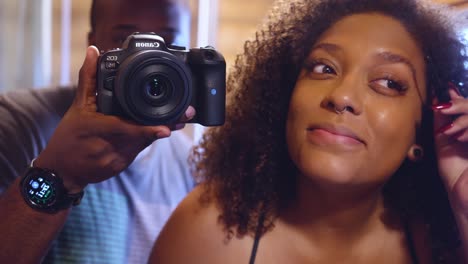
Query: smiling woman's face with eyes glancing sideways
<point>368,66</point>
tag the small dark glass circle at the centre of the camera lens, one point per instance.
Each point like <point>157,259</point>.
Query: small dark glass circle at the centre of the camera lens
<point>156,89</point>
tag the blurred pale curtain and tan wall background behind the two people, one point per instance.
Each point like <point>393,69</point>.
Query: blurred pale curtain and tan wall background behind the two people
<point>43,41</point>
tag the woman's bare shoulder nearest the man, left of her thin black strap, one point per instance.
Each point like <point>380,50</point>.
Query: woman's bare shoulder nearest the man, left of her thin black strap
<point>193,234</point>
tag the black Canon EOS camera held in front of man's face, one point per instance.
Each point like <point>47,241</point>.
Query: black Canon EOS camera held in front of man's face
<point>153,84</point>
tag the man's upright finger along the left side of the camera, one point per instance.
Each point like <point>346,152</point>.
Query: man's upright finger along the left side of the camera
<point>86,91</point>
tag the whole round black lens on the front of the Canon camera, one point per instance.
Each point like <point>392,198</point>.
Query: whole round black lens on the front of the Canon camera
<point>153,87</point>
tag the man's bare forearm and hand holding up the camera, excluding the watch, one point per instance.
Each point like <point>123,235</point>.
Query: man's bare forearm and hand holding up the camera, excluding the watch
<point>86,147</point>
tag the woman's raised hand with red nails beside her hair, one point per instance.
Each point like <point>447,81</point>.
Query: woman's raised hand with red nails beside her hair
<point>451,139</point>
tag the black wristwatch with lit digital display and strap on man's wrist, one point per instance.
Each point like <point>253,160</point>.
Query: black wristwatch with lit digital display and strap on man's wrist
<point>44,191</point>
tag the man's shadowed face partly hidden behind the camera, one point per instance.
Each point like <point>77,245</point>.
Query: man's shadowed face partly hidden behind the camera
<point>116,19</point>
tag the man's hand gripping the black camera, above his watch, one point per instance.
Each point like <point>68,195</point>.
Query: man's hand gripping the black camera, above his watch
<point>89,147</point>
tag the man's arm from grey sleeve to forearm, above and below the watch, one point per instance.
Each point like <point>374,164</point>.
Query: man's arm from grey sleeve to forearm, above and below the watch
<point>28,118</point>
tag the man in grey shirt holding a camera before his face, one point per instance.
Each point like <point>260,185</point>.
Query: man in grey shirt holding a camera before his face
<point>120,214</point>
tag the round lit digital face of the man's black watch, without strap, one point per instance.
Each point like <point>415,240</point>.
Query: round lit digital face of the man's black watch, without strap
<point>40,188</point>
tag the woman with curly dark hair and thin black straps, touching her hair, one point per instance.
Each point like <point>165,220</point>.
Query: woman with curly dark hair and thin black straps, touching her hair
<point>328,155</point>
